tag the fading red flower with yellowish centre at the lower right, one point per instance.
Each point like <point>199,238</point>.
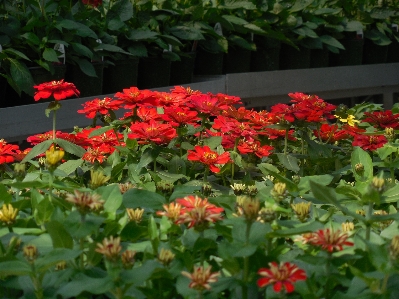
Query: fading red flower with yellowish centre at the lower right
<point>329,240</point>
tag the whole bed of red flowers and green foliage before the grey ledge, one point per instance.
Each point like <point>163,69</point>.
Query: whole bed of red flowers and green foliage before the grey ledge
<point>191,195</point>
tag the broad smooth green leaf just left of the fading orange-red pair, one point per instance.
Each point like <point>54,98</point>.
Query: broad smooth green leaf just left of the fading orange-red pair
<point>138,198</point>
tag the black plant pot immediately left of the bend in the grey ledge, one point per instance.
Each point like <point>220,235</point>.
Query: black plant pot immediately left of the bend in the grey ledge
<point>207,63</point>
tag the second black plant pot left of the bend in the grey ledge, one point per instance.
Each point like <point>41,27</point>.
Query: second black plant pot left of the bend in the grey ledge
<point>181,72</point>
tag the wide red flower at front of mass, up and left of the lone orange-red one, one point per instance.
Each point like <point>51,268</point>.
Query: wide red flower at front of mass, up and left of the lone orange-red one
<point>152,131</point>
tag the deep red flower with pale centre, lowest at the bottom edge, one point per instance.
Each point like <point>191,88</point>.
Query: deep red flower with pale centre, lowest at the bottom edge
<point>281,276</point>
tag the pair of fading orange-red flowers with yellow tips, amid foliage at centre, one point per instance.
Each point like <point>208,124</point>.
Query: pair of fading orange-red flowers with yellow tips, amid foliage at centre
<point>192,210</point>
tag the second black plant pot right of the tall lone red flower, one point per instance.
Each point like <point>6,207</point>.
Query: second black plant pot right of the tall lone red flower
<point>121,75</point>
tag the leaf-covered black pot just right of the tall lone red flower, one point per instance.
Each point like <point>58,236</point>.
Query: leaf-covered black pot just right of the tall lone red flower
<point>87,85</point>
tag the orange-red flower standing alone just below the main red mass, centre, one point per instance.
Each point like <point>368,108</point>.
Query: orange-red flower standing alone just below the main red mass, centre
<point>205,155</point>
